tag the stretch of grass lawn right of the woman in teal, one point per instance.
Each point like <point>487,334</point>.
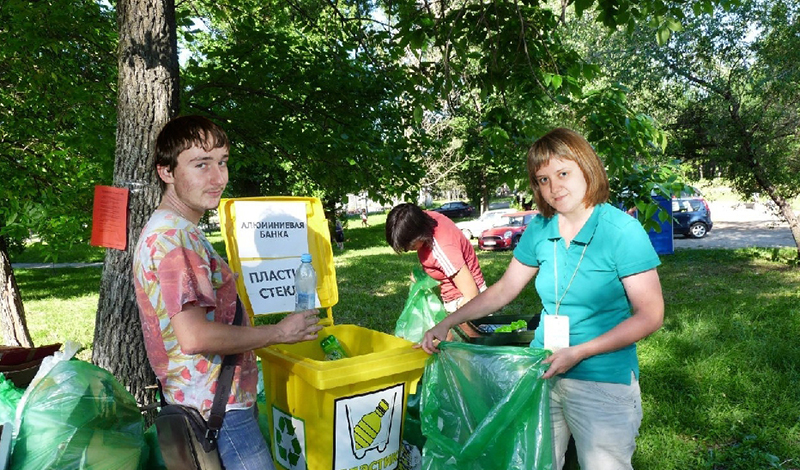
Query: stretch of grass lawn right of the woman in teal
<point>720,378</point>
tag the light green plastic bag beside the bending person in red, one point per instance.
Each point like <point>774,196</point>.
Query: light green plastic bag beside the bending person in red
<point>423,308</point>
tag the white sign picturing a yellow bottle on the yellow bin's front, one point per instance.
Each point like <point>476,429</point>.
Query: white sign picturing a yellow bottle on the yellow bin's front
<point>367,429</point>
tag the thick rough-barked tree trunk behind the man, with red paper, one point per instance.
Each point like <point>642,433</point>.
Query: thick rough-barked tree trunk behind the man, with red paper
<point>147,99</point>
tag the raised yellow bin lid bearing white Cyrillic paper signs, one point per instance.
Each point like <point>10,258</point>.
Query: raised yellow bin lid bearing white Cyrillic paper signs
<point>264,238</point>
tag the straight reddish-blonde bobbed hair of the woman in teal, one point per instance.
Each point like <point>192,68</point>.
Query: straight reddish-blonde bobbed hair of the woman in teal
<point>565,144</point>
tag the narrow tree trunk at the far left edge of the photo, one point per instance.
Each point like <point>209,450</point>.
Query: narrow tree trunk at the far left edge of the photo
<point>12,313</point>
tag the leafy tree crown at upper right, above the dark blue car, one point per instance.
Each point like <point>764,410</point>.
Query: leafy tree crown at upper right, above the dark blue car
<point>727,88</point>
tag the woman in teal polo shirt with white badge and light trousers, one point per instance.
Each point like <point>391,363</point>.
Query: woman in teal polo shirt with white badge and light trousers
<point>595,272</point>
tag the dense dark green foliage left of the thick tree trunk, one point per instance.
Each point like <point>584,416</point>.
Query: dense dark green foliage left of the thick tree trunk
<point>57,116</point>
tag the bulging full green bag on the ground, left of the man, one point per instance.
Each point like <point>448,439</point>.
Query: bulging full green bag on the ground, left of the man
<point>78,416</point>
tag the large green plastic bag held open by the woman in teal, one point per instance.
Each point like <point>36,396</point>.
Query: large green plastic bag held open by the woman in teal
<point>486,408</point>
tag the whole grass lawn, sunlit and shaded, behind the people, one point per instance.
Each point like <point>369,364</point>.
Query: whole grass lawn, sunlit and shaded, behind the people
<point>720,381</point>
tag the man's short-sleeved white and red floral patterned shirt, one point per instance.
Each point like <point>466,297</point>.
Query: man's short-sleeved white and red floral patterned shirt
<point>174,267</point>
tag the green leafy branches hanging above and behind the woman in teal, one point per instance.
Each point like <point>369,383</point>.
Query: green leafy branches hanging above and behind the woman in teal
<point>511,71</point>
